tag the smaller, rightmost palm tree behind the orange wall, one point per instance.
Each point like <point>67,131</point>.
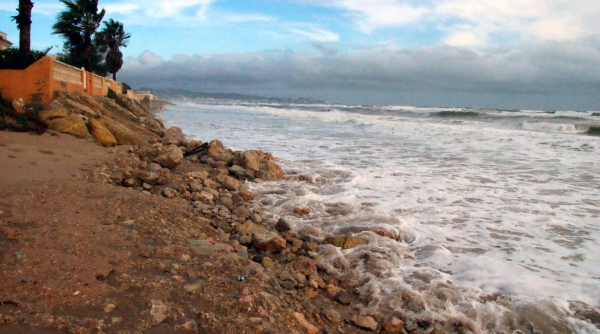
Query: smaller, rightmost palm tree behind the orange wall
<point>111,38</point>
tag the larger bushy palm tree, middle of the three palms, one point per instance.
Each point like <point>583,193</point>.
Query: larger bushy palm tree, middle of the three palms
<point>77,24</point>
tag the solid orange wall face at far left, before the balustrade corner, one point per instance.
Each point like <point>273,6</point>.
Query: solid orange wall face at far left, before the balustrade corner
<point>33,84</point>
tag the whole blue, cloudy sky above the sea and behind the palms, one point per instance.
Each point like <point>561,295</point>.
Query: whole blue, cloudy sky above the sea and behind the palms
<point>517,54</point>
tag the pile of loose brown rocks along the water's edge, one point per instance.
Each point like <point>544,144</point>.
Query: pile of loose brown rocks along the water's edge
<point>212,182</point>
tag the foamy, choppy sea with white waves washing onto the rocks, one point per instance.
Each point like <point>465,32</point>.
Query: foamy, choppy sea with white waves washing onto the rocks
<point>490,217</point>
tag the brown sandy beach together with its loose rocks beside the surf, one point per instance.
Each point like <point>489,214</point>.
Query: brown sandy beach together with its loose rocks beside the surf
<point>135,238</point>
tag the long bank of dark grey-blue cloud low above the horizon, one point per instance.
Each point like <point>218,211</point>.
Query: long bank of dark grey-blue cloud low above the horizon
<point>545,75</point>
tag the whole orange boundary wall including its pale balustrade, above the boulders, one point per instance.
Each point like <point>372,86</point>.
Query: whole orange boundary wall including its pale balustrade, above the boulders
<point>38,83</point>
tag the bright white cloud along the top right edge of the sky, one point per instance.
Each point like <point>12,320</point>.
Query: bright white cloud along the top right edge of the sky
<point>477,22</point>
